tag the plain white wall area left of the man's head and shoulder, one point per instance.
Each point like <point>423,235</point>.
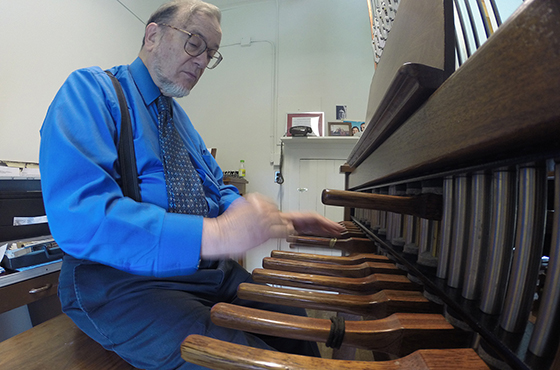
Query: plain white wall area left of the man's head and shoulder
<point>42,42</point>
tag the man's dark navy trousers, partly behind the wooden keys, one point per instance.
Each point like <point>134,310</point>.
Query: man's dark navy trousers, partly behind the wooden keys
<point>145,319</point>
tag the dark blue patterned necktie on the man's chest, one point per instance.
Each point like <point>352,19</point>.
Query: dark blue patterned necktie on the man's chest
<point>184,188</point>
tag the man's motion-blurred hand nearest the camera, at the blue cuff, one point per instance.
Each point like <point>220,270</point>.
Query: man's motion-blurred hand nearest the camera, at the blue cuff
<point>247,223</point>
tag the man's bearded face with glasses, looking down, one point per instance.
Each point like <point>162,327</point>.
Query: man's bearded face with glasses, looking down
<point>176,72</point>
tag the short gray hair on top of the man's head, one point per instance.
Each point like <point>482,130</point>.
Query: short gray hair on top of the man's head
<point>183,10</point>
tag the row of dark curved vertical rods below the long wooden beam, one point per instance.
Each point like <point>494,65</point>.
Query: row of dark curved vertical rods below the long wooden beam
<point>488,257</point>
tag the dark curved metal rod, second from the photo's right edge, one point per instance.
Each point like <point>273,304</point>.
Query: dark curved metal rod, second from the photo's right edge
<point>531,216</point>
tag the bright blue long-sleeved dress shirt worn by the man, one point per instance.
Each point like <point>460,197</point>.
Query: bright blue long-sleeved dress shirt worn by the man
<point>87,213</point>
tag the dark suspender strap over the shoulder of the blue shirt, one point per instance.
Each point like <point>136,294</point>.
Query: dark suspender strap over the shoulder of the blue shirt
<point>127,157</point>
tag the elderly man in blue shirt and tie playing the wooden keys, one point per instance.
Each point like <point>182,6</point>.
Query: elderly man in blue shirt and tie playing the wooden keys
<point>139,276</point>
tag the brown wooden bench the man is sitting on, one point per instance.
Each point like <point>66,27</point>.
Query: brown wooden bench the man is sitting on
<point>57,344</point>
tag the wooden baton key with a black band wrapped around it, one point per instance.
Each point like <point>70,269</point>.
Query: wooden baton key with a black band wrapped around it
<point>399,334</point>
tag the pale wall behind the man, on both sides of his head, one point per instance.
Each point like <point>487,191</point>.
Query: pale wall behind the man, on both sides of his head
<point>302,55</point>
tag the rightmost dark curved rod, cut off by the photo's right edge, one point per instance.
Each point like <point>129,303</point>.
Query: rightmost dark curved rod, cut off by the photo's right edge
<point>545,334</point>
